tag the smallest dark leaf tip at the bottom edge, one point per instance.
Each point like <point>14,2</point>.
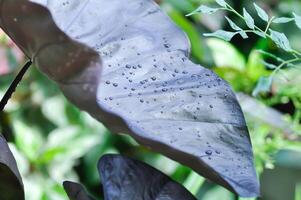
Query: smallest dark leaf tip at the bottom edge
<point>76,191</point>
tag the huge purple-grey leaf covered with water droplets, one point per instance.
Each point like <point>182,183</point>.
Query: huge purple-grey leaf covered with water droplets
<point>148,87</point>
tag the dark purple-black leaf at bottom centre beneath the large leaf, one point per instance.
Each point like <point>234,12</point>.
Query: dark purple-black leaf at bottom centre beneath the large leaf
<point>125,178</point>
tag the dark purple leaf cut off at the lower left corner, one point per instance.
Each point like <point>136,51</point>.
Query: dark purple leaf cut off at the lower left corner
<point>11,186</point>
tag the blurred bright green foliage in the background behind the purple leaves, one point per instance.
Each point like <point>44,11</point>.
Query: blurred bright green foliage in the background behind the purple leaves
<point>53,141</point>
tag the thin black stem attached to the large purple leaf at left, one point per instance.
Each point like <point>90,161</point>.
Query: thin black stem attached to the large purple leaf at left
<point>14,85</point>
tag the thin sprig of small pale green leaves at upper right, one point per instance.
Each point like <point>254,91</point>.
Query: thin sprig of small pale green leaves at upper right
<point>280,39</point>
